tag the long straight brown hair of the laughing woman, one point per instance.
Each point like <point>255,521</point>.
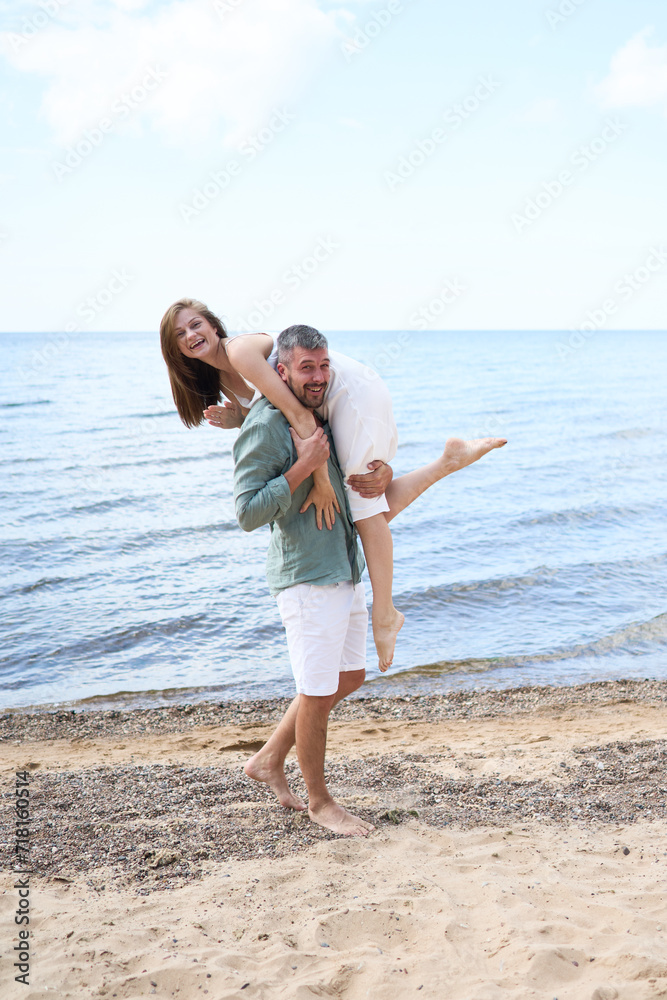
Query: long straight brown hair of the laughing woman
<point>194,384</point>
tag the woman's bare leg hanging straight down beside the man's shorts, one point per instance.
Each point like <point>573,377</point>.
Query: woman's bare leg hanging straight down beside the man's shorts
<point>379,551</point>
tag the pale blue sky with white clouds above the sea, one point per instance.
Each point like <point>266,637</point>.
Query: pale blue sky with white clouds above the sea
<point>389,165</point>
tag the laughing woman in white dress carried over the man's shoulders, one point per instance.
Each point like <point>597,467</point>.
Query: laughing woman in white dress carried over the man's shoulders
<point>203,362</point>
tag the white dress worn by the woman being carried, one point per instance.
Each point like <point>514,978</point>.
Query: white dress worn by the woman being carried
<point>358,407</point>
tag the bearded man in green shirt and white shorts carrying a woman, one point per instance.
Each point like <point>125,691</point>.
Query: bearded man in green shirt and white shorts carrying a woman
<point>315,576</point>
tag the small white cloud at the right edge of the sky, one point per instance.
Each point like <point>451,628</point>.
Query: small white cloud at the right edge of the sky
<point>638,76</point>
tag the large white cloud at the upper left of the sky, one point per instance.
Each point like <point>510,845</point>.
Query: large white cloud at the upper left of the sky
<point>227,64</point>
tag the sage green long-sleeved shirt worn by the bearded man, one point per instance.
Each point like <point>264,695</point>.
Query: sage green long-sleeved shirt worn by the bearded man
<point>298,551</point>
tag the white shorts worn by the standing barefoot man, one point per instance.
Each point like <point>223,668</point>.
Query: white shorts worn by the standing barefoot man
<point>326,633</point>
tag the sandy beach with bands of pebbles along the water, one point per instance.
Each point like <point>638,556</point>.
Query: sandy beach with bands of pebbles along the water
<point>520,851</point>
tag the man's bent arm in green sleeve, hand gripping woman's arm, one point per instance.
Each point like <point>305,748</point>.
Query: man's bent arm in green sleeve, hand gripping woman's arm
<point>262,491</point>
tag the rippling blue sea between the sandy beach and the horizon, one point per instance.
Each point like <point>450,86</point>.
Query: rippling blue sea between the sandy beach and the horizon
<point>127,582</point>
